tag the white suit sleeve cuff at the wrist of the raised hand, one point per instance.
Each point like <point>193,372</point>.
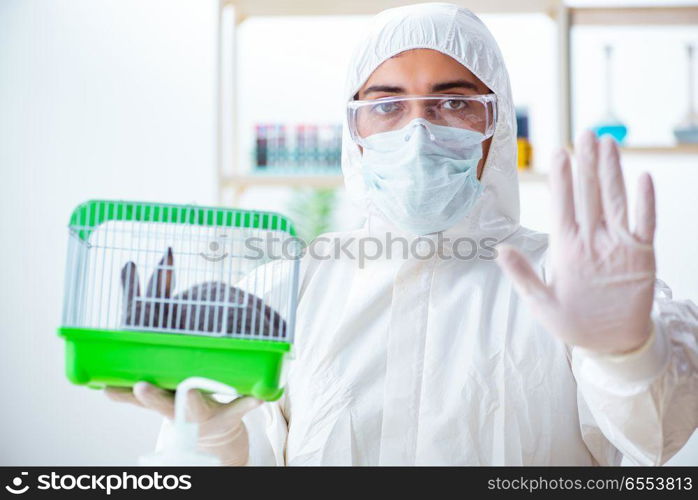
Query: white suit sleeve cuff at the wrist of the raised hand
<point>643,364</point>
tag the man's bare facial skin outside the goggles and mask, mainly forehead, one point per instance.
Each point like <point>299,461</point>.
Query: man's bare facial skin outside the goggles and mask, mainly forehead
<point>424,72</point>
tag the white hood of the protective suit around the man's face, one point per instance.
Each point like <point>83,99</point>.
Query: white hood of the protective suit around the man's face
<point>458,33</point>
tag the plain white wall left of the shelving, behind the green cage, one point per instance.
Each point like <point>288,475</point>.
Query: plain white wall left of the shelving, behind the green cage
<point>98,98</point>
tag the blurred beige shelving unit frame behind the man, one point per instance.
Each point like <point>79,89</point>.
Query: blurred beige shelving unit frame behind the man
<point>232,179</point>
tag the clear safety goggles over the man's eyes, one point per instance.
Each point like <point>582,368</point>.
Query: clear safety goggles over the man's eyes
<point>477,113</point>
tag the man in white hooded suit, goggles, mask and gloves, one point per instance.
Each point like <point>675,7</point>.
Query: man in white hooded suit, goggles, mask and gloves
<point>560,353</point>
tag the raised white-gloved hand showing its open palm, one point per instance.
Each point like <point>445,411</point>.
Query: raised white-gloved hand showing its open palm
<point>603,275</point>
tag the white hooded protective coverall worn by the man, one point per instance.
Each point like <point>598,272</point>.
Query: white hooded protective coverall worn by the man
<point>436,360</point>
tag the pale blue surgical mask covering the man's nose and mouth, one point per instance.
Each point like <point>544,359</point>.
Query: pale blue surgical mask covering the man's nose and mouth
<point>423,177</point>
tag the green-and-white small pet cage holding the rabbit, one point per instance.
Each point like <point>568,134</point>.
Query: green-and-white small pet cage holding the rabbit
<point>219,302</point>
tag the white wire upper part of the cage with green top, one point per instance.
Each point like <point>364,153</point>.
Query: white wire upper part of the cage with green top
<point>181,269</point>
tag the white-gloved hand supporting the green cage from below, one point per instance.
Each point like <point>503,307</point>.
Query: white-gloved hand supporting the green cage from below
<point>222,432</point>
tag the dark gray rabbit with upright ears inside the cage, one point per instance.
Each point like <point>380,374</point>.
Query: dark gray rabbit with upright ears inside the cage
<point>201,308</point>
